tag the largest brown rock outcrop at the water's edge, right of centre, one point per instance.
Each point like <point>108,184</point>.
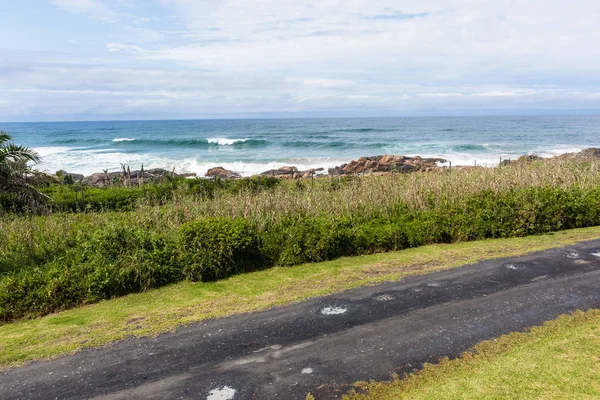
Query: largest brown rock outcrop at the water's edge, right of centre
<point>386,164</point>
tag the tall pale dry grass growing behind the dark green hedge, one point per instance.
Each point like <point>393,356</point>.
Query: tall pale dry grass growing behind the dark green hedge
<point>377,196</point>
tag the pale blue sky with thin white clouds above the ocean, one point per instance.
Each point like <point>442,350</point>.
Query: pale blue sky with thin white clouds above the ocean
<point>169,59</point>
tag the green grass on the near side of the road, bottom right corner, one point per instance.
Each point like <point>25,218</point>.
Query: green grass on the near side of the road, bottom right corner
<point>558,360</point>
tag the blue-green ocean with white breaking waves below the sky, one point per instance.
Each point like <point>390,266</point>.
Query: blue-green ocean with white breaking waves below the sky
<point>253,146</point>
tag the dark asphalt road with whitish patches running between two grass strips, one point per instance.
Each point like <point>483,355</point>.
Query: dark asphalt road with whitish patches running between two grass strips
<point>323,345</point>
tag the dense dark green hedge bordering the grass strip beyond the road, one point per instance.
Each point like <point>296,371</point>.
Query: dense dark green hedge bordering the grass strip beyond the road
<point>118,259</point>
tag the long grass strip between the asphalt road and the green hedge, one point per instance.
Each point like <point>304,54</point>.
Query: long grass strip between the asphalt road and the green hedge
<point>166,308</point>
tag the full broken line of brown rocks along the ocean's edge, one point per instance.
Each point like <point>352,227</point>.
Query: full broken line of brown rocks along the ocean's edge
<point>374,165</point>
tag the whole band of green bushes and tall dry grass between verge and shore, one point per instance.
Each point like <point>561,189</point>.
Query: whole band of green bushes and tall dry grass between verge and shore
<point>103,243</point>
